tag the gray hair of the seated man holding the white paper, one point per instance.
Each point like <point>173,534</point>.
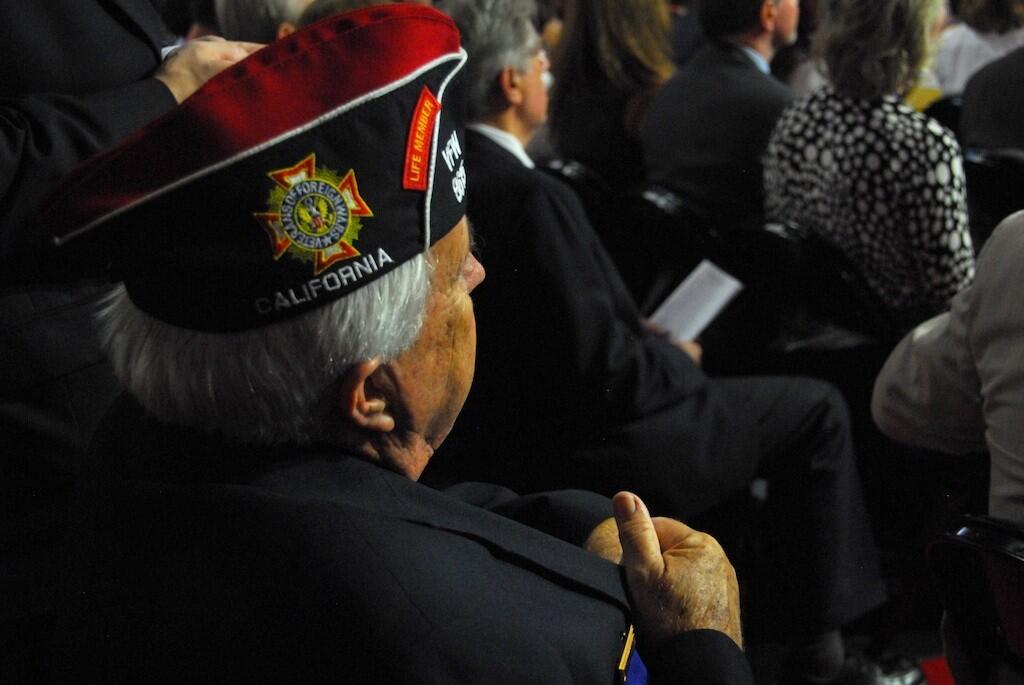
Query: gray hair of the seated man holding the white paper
<point>496,34</point>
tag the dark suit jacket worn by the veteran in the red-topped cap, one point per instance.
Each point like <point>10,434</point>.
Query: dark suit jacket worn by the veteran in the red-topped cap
<point>196,562</point>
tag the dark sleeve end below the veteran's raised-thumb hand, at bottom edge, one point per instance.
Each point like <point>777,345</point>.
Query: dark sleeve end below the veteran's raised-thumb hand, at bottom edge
<point>699,658</point>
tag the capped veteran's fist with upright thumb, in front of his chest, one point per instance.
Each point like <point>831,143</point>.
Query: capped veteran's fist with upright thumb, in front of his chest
<point>679,579</point>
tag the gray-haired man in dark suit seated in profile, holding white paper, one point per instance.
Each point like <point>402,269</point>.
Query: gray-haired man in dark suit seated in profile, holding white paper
<point>575,391</point>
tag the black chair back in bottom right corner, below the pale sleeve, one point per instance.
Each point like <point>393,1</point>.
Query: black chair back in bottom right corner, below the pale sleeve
<point>979,573</point>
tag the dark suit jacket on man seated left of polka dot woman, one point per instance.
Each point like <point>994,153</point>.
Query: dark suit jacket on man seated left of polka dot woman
<point>707,131</point>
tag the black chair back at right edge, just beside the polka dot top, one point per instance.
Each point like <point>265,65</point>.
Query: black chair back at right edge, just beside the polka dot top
<point>995,189</point>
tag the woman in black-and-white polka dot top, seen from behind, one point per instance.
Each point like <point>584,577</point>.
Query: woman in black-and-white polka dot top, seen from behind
<point>856,165</point>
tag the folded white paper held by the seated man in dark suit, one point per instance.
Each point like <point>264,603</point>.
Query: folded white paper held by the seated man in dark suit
<point>697,302</point>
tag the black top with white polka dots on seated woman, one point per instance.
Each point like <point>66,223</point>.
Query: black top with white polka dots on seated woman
<point>883,183</point>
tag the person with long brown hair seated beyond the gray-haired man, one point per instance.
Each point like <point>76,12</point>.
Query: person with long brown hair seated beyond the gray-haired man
<point>612,59</point>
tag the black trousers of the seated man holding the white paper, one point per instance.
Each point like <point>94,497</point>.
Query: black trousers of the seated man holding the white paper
<point>816,537</point>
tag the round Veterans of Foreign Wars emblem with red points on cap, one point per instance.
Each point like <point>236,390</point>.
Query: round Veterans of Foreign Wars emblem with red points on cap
<point>314,215</point>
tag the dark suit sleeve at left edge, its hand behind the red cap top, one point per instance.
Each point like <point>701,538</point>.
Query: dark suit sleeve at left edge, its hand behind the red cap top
<point>42,138</point>
